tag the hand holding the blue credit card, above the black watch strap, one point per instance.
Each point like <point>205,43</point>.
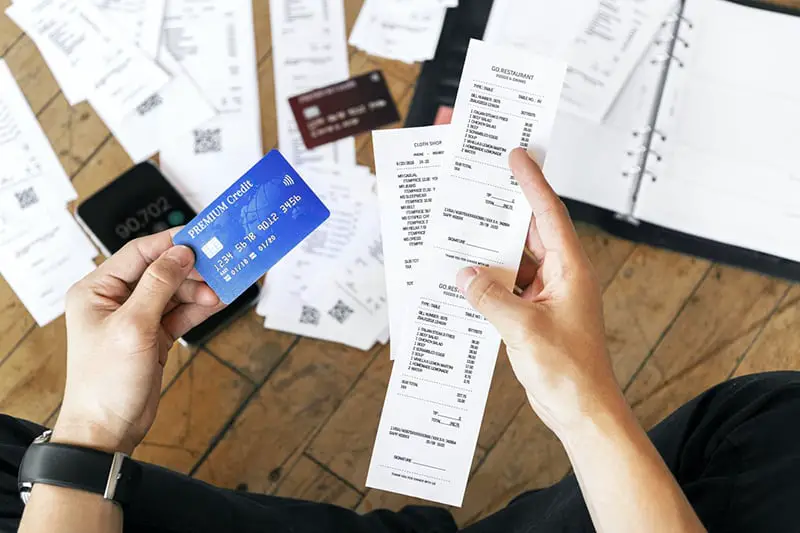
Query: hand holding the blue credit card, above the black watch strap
<point>121,322</point>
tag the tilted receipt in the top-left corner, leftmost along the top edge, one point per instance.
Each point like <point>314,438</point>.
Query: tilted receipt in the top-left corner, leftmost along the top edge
<point>117,74</point>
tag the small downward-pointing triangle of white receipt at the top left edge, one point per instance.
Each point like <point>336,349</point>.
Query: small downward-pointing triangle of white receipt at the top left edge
<point>141,20</point>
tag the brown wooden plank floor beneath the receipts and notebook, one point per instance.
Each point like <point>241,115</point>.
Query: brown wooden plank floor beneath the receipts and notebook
<point>297,417</point>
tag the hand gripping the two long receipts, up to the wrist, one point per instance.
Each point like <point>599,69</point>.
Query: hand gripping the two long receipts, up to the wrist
<point>554,330</point>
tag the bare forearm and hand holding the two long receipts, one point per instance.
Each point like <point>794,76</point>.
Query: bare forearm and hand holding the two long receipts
<point>555,337</point>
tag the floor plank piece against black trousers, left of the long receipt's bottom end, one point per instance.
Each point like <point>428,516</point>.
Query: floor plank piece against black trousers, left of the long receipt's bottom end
<point>309,481</point>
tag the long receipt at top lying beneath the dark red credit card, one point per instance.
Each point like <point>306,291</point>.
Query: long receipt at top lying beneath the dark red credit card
<point>309,51</point>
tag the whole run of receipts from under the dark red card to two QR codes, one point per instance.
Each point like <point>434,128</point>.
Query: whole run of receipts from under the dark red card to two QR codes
<point>332,286</point>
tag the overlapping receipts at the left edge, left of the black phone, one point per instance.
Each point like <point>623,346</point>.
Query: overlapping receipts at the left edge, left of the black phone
<point>42,249</point>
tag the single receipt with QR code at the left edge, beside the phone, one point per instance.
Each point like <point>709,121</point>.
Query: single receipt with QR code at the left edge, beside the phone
<point>31,176</point>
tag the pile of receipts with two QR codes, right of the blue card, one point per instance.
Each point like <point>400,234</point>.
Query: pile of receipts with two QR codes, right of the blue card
<point>332,286</point>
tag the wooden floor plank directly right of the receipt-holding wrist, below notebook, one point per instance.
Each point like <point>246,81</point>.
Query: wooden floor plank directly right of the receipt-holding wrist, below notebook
<point>643,300</point>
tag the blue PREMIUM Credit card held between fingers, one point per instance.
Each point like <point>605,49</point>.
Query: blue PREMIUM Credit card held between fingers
<point>252,225</point>
